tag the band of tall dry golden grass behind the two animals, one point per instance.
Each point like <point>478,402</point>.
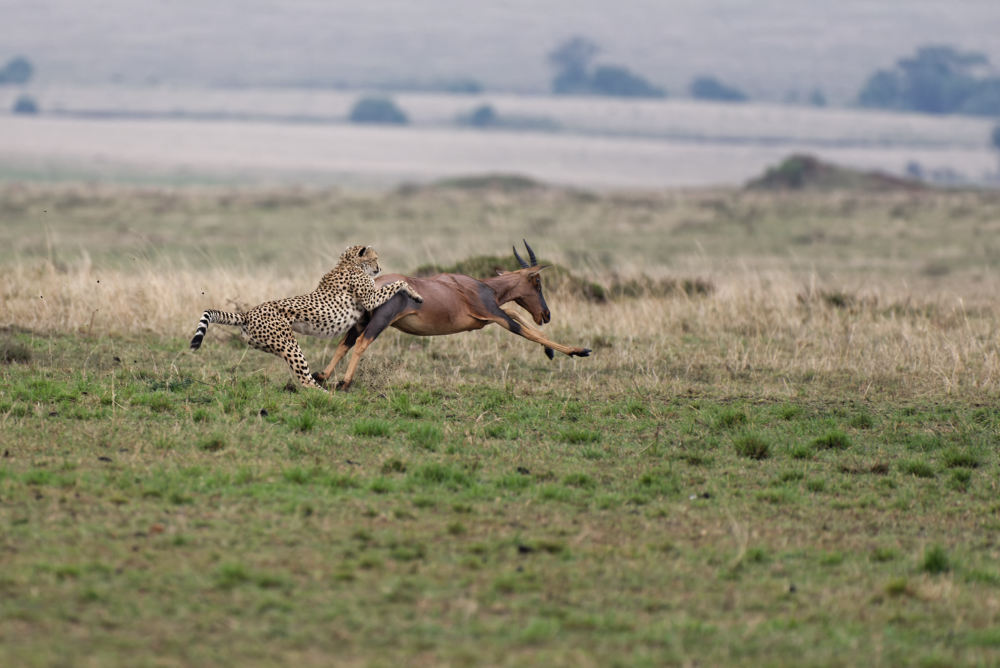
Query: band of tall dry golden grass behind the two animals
<point>773,331</point>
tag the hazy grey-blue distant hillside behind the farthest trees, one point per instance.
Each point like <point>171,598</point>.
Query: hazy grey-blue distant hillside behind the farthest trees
<point>771,49</point>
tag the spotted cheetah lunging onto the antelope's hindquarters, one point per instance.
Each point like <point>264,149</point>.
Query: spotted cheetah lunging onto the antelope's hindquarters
<point>336,305</point>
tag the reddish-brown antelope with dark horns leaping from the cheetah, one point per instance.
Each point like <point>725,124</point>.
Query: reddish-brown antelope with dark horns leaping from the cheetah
<point>454,303</point>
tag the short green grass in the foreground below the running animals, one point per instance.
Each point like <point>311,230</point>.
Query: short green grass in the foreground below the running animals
<point>257,524</point>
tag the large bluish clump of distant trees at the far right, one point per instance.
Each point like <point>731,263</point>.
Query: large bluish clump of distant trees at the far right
<point>935,80</point>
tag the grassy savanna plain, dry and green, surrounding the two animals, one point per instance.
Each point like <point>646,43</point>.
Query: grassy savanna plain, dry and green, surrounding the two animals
<point>783,449</point>
